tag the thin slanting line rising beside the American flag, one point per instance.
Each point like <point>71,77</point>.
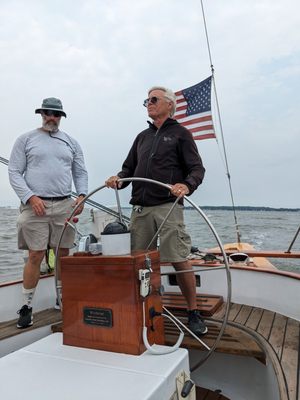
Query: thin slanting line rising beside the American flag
<point>221,126</point>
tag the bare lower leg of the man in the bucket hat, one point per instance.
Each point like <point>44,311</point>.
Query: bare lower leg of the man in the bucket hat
<point>31,273</point>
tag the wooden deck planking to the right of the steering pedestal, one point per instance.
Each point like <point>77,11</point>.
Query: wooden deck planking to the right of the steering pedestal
<point>255,332</point>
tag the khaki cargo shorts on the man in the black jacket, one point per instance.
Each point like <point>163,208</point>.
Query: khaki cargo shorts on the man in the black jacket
<point>174,241</point>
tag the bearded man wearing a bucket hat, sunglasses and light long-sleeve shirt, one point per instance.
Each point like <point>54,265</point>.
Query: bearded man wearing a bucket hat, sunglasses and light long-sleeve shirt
<point>42,165</point>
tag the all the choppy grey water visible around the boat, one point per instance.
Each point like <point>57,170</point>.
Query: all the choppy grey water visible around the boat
<point>267,230</point>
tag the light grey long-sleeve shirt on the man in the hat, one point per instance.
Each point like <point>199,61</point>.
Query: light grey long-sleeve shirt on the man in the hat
<point>44,164</point>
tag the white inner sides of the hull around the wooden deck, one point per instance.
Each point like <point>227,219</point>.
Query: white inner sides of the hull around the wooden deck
<point>261,288</point>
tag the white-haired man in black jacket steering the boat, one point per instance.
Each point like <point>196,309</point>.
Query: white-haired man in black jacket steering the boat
<point>166,152</point>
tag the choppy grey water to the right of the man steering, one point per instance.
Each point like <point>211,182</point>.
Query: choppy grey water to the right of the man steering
<point>265,230</point>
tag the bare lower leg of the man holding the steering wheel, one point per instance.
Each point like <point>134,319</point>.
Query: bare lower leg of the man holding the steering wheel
<point>187,284</point>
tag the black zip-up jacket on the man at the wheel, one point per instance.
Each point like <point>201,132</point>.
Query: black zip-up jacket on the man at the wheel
<point>168,155</point>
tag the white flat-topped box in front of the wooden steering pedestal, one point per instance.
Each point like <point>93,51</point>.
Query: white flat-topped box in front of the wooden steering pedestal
<point>47,369</point>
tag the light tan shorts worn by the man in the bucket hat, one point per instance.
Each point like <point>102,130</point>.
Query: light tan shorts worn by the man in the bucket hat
<point>36,233</point>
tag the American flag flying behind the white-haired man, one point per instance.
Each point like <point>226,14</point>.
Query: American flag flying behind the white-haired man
<point>193,110</point>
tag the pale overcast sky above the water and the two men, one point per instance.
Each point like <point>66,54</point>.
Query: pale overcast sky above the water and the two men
<point>101,57</point>
